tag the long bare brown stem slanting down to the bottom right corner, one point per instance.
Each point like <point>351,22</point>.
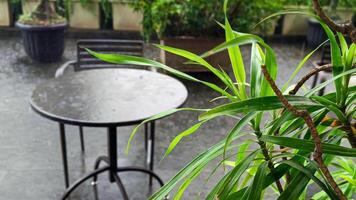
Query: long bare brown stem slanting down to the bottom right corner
<point>308,120</point>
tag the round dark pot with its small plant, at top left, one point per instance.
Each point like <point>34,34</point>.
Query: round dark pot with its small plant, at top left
<point>43,32</point>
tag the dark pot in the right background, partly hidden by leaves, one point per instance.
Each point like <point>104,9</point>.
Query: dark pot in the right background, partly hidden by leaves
<point>316,34</point>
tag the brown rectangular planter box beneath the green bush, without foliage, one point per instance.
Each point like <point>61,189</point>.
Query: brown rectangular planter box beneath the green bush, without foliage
<point>197,46</point>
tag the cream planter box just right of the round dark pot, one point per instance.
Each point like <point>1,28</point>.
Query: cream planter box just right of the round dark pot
<point>86,17</point>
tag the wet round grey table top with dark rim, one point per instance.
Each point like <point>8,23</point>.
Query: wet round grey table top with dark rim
<point>107,97</point>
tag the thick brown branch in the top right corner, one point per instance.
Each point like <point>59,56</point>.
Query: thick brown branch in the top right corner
<point>346,28</point>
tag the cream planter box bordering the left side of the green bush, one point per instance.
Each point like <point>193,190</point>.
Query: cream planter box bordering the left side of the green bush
<point>126,18</point>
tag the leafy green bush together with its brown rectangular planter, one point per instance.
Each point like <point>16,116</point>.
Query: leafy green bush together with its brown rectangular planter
<point>185,24</point>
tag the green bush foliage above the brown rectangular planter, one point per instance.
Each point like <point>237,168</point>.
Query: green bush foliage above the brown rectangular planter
<point>194,18</point>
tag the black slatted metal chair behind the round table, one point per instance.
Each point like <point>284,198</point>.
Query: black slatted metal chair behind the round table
<point>85,61</point>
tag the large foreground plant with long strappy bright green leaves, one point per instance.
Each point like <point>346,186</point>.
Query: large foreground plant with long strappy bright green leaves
<point>296,137</point>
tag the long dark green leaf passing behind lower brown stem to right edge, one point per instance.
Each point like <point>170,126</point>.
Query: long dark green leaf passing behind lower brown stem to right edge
<point>308,145</point>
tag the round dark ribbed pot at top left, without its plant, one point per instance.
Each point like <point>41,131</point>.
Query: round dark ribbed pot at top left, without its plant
<point>43,43</point>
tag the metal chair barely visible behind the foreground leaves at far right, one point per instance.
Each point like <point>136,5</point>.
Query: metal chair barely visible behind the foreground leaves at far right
<point>323,75</point>
